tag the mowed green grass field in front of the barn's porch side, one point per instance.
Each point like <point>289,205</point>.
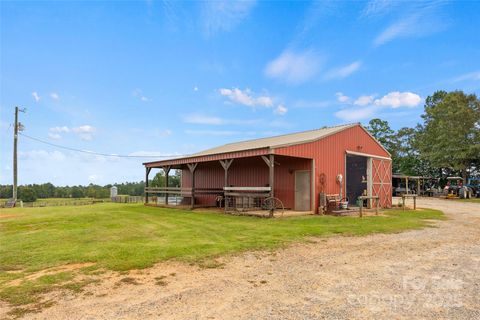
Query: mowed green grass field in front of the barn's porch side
<point>122,237</point>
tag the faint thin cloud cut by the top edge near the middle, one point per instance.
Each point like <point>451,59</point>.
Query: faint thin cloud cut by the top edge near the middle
<point>221,16</point>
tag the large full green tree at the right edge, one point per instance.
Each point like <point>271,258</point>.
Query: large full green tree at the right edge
<point>450,135</point>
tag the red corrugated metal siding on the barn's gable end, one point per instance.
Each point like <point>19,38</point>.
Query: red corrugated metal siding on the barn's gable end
<point>329,155</point>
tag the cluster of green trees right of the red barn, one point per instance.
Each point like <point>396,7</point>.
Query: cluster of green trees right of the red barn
<point>446,143</point>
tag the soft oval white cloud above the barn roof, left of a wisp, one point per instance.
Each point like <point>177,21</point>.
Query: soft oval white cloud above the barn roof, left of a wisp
<point>294,67</point>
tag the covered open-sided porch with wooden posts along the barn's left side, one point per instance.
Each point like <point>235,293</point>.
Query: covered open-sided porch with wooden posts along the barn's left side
<point>237,182</point>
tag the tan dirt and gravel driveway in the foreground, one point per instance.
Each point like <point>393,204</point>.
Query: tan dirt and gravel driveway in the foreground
<point>429,274</point>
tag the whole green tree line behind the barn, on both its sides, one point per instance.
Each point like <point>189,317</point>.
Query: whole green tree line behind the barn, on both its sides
<point>446,143</point>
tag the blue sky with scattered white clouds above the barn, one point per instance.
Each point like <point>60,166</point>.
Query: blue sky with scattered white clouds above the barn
<point>153,78</point>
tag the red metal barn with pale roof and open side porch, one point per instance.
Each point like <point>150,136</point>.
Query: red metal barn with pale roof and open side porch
<point>299,166</point>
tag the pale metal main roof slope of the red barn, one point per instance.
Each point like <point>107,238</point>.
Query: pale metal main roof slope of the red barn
<point>276,141</point>
